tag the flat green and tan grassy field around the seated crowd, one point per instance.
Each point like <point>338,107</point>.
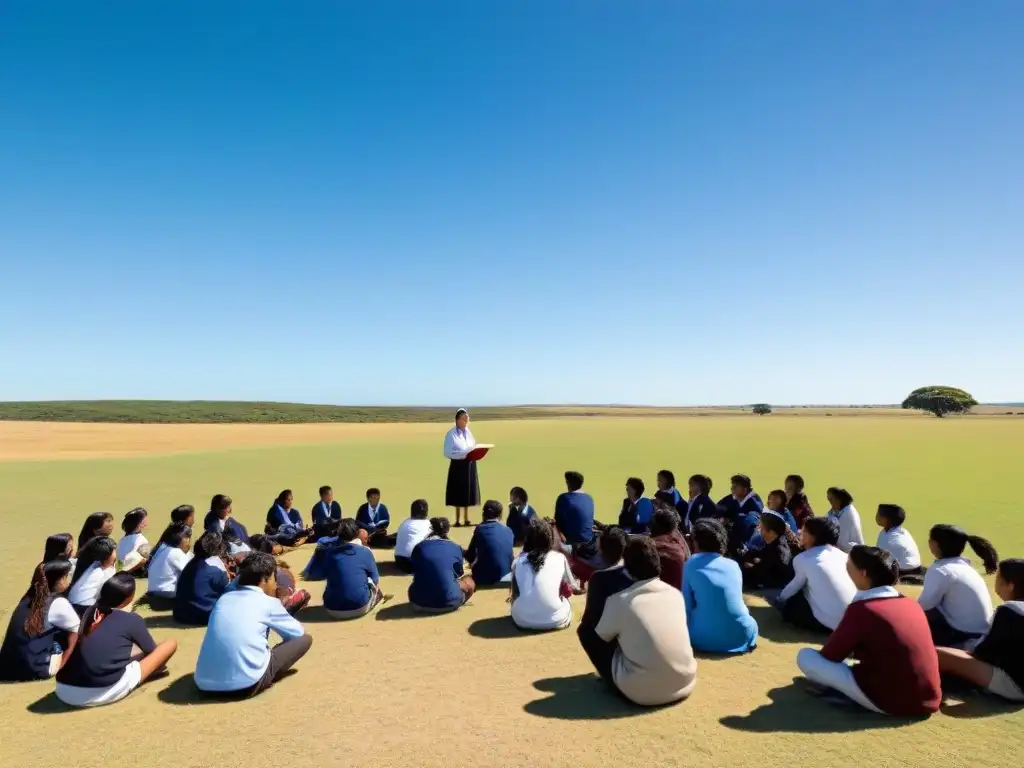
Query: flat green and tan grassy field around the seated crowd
<point>467,690</point>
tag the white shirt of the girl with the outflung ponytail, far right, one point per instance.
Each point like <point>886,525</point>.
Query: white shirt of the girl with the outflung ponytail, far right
<point>953,586</point>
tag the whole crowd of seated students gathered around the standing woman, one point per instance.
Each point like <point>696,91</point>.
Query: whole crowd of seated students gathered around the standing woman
<point>665,582</point>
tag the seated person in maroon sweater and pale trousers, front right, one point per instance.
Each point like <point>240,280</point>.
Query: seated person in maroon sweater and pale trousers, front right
<point>898,670</point>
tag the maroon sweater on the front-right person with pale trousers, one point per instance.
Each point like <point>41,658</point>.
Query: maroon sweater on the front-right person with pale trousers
<point>899,668</point>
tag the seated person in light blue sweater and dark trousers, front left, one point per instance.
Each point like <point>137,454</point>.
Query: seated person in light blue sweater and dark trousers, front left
<point>235,659</point>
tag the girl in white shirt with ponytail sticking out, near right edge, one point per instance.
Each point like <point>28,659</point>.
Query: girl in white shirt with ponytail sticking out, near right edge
<point>956,599</point>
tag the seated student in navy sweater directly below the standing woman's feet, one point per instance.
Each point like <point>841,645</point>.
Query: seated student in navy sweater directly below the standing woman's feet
<point>440,584</point>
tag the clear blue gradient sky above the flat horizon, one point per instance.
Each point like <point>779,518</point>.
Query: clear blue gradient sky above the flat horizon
<point>672,203</point>
